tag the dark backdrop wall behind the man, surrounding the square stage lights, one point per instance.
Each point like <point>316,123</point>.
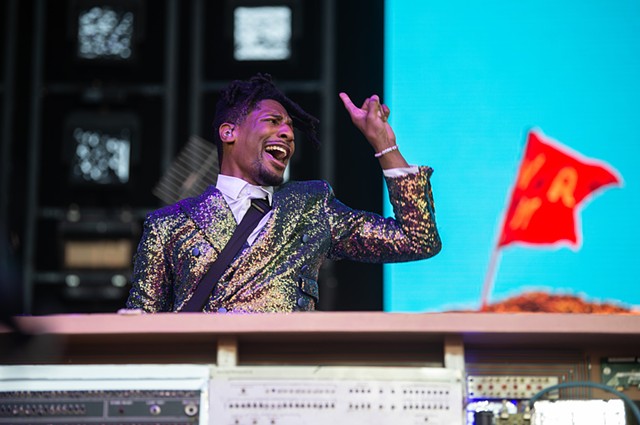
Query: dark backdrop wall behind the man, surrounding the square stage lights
<point>163,91</point>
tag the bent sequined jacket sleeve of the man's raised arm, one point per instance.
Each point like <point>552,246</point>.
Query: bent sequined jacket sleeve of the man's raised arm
<point>411,235</point>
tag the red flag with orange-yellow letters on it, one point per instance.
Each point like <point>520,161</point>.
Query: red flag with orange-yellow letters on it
<point>552,184</point>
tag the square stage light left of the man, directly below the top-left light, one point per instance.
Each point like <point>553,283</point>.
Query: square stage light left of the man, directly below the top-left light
<point>99,147</point>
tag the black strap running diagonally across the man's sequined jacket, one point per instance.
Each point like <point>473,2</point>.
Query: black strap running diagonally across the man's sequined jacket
<point>259,207</point>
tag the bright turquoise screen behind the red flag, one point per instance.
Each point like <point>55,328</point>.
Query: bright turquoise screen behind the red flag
<point>466,81</point>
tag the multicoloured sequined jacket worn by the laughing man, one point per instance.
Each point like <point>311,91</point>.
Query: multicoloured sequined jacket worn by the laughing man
<point>279,272</point>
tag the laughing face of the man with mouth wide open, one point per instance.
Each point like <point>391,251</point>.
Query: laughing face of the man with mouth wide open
<point>261,145</point>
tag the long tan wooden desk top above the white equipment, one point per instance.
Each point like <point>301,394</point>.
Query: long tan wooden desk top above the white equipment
<point>318,337</point>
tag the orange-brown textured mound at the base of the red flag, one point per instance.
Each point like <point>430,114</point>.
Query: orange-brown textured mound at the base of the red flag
<point>549,303</point>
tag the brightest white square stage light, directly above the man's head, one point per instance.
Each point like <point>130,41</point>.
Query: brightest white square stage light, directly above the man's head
<point>262,33</point>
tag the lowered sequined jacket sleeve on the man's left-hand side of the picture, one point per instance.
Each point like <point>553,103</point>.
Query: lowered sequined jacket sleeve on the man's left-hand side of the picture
<point>151,281</point>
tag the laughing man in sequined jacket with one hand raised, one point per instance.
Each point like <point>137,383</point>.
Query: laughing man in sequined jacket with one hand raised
<point>278,268</point>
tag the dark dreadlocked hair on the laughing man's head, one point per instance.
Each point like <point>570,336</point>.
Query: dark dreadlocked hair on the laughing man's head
<point>240,97</point>
